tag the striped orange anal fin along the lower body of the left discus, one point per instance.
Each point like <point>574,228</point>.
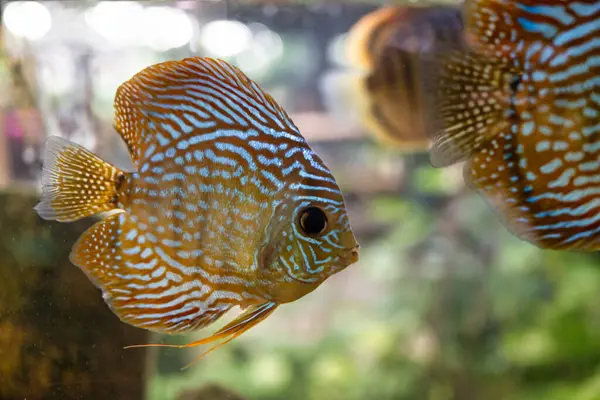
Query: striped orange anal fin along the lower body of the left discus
<point>135,283</point>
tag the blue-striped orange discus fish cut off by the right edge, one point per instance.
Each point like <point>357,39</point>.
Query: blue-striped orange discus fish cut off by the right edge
<point>522,107</point>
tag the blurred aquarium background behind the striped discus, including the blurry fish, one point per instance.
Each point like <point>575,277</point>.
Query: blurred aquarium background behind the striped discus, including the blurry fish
<point>444,302</point>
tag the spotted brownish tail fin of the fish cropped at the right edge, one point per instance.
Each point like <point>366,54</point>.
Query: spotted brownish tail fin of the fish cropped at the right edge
<point>469,104</point>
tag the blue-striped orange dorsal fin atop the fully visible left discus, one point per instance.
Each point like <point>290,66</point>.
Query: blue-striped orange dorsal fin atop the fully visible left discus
<point>169,101</point>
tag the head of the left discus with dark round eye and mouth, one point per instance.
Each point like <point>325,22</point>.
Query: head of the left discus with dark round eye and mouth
<point>314,239</point>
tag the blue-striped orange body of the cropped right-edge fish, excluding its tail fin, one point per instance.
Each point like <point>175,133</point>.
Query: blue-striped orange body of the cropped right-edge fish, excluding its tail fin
<point>545,178</point>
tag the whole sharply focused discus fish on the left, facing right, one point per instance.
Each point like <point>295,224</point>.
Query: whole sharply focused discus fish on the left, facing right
<point>228,205</point>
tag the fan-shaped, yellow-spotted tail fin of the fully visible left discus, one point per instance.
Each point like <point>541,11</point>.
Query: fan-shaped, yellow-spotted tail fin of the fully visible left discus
<point>76,183</point>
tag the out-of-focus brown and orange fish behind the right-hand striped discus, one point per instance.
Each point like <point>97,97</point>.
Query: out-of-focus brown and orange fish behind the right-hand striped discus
<point>388,44</point>
